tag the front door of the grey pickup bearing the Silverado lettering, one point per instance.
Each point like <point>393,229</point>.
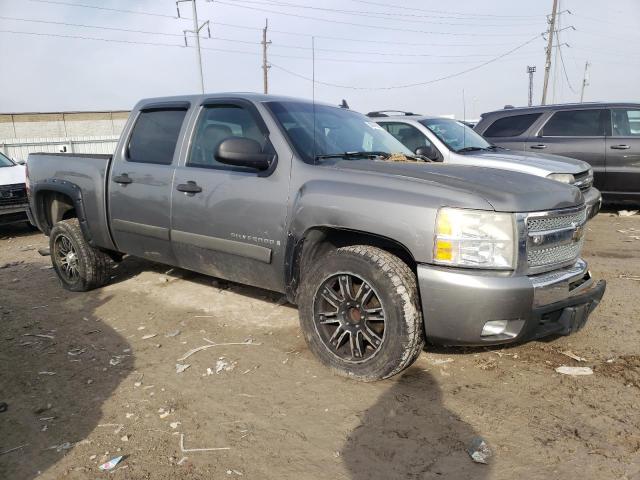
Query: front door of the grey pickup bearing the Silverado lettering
<point>229,221</point>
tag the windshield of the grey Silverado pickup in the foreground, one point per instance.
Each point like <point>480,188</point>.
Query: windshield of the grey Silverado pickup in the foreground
<point>337,131</point>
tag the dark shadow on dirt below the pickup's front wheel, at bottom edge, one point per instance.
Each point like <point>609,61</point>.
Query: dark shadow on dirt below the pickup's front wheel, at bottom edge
<point>410,434</point>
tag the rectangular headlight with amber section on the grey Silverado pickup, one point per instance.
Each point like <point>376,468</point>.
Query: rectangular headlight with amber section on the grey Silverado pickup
<point>474,238</point>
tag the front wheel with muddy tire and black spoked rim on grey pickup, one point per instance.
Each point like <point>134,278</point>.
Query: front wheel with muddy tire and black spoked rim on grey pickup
<point>390,293</point>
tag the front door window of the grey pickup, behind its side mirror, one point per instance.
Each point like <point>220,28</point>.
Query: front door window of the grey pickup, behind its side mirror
<point>216,124</point>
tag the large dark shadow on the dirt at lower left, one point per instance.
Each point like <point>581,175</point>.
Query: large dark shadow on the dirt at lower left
<point>55,370</point>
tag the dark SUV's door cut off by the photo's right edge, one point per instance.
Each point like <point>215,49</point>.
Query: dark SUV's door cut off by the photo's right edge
<point>623,152</point>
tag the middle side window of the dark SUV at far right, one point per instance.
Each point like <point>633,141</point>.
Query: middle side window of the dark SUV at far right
<point>576,123</point>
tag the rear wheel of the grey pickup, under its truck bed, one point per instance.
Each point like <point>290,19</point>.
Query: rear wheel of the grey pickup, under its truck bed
<point>68,247</point>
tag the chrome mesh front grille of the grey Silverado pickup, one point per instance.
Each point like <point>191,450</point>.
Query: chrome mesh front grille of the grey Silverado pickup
<point>554,238</point>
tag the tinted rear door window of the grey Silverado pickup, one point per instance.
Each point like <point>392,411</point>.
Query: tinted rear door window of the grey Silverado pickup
<point>155,136</point>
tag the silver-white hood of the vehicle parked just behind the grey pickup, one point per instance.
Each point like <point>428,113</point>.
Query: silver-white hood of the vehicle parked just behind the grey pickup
<point>528,162</point>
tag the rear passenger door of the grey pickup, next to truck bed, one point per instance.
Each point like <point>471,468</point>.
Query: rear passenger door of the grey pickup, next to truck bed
<point>140,184</point>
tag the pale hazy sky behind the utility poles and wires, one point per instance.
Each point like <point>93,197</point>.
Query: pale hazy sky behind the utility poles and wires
<point>459,57</point>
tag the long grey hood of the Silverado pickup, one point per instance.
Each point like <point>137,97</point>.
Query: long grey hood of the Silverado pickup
<point>504,190</point>
